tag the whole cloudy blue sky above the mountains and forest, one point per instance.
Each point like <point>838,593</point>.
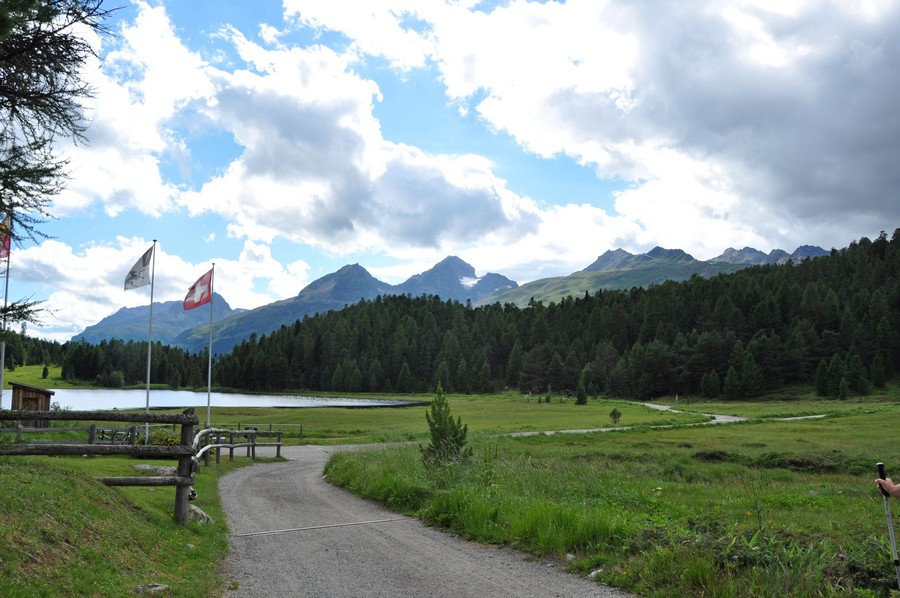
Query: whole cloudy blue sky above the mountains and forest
<point>279,141</point>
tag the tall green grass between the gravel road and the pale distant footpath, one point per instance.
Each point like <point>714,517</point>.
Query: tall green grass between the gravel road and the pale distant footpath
<point>762,508</point>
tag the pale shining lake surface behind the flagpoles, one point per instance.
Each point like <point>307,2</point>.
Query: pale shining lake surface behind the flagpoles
<point>90,400</point>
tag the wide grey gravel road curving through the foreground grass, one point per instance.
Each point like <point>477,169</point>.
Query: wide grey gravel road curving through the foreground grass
<point>293,534</point>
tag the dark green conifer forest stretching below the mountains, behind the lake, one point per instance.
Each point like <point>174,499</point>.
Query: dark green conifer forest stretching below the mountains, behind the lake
<point>830,322</point>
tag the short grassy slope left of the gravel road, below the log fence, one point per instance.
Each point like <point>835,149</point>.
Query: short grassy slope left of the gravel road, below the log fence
<point>65,534</point>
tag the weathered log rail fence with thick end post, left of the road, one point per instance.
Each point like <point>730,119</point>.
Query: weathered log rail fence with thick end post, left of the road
<point>184,452</point>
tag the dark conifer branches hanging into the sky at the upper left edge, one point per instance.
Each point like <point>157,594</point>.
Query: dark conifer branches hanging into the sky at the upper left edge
<point>44,46</point>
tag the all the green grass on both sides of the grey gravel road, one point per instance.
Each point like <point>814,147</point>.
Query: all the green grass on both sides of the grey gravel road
<point>660,504</point>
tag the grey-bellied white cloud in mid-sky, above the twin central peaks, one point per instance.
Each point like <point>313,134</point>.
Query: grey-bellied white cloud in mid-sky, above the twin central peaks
<point>315,169</point>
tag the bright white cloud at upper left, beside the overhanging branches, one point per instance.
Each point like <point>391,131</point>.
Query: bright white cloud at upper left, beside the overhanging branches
<point>147,77</point>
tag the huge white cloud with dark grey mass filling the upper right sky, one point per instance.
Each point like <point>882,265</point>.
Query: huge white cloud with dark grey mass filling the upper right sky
<point>788,104</point>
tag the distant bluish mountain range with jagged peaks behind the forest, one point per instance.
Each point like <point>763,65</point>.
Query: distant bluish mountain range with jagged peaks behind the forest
<point>450,279</point>
